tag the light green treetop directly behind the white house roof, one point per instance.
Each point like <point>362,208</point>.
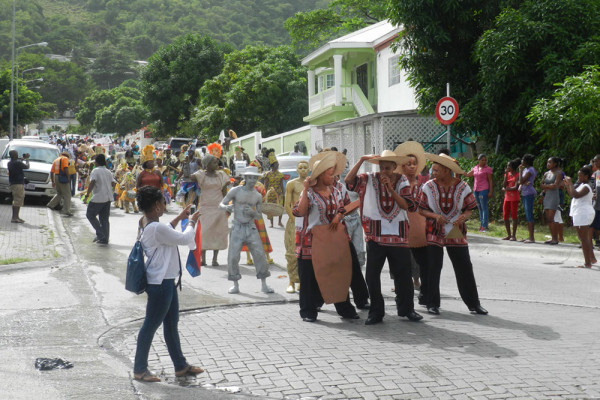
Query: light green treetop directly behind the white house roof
<point>310,29</point>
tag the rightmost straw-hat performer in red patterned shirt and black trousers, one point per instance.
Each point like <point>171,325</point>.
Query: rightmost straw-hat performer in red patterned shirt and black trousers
<point>446,202</point>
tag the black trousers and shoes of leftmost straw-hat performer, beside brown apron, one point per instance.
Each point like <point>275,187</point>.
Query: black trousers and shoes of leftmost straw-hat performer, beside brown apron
<point>310,294</point>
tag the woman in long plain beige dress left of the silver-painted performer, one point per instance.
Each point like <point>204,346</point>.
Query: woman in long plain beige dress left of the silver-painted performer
<point>213,221</point>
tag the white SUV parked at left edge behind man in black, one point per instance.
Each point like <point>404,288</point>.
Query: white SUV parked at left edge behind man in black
<point>41,157</point>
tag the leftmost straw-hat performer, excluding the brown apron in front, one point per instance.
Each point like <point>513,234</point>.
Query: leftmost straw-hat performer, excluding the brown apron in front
<point>320,203</point>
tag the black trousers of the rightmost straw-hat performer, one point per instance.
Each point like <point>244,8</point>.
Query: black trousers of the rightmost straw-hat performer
<point>463,270</point>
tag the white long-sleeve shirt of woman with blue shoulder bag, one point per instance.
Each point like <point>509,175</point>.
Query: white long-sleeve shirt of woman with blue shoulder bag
<point>160,241</point>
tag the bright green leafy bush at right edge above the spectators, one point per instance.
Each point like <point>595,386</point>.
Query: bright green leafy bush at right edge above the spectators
<point>569,120</point>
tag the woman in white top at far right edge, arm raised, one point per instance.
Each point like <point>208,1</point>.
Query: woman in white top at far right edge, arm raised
<point>583,213</point>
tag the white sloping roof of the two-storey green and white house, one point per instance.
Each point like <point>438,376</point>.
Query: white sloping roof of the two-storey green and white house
<point>368,37</point>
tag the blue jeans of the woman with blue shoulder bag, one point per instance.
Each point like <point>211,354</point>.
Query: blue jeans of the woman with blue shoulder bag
<point>162,308</point>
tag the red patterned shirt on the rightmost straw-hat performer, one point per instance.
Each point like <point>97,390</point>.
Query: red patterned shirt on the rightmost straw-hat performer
<point>450,203</point>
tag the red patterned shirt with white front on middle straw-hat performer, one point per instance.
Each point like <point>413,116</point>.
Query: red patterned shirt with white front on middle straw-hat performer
<point>383,220</point>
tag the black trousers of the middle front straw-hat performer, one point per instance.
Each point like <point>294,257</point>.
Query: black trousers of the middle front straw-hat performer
<point>399,261</point>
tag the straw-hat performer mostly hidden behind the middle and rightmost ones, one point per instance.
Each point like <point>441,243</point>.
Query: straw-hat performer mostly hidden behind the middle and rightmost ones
<point>417,238</point>
